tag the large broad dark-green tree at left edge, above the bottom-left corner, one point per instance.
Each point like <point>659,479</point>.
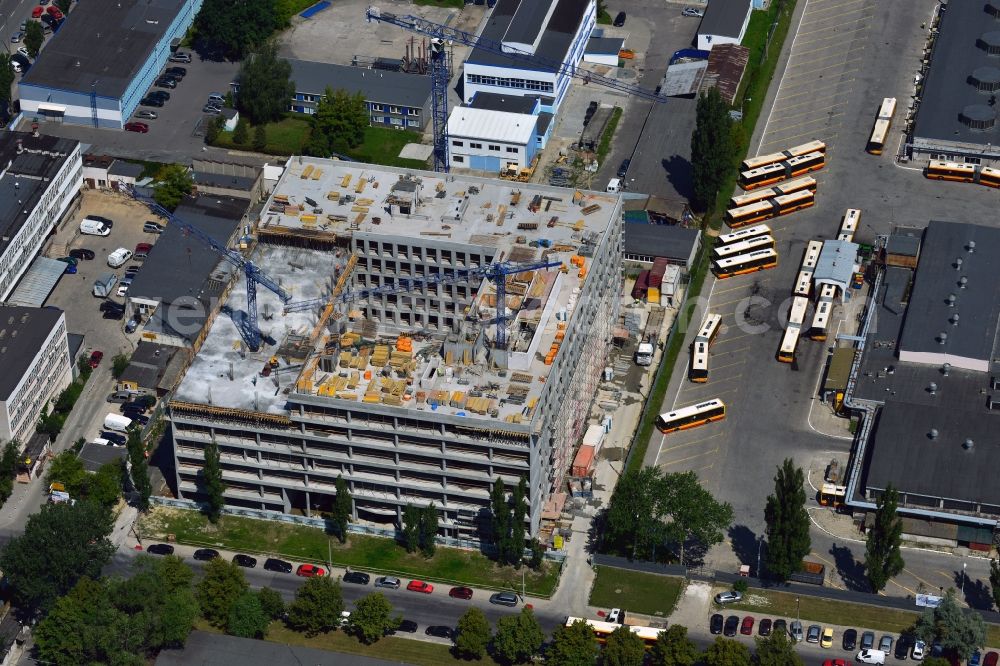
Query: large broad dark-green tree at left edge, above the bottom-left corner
<point>60,544</point>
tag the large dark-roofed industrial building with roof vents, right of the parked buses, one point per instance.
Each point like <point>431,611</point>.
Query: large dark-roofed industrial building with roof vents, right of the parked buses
<point>926,386</point>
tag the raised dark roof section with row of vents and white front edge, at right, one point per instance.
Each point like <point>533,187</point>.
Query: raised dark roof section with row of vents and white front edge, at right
<point>956,276</point>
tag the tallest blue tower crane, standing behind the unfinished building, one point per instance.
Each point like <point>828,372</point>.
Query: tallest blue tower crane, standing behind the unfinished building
<point>442,34</point>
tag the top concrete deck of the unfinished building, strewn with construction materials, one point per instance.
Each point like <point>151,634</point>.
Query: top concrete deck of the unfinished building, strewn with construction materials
<point>454,213</point>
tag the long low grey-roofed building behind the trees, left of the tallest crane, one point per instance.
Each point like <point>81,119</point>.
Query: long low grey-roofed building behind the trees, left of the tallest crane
<point>395,99</point>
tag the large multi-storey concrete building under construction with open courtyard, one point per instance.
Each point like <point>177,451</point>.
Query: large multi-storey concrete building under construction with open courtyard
<point>395,364</point>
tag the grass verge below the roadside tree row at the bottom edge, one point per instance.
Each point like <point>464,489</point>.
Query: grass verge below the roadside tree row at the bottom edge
<point>400,650</point>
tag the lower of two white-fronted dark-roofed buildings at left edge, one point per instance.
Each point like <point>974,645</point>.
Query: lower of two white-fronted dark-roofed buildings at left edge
<point>34,355</point>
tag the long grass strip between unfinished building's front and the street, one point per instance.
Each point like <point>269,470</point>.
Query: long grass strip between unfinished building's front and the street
<point>378,555</point>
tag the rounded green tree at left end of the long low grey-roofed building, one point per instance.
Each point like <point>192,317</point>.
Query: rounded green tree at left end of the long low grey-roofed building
<point>265,86</point>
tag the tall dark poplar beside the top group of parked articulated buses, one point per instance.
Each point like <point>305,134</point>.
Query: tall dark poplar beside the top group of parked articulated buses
<point>712,148</point>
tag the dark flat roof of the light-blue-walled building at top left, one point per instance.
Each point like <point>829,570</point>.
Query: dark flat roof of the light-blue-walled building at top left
<point>103,47</point>
